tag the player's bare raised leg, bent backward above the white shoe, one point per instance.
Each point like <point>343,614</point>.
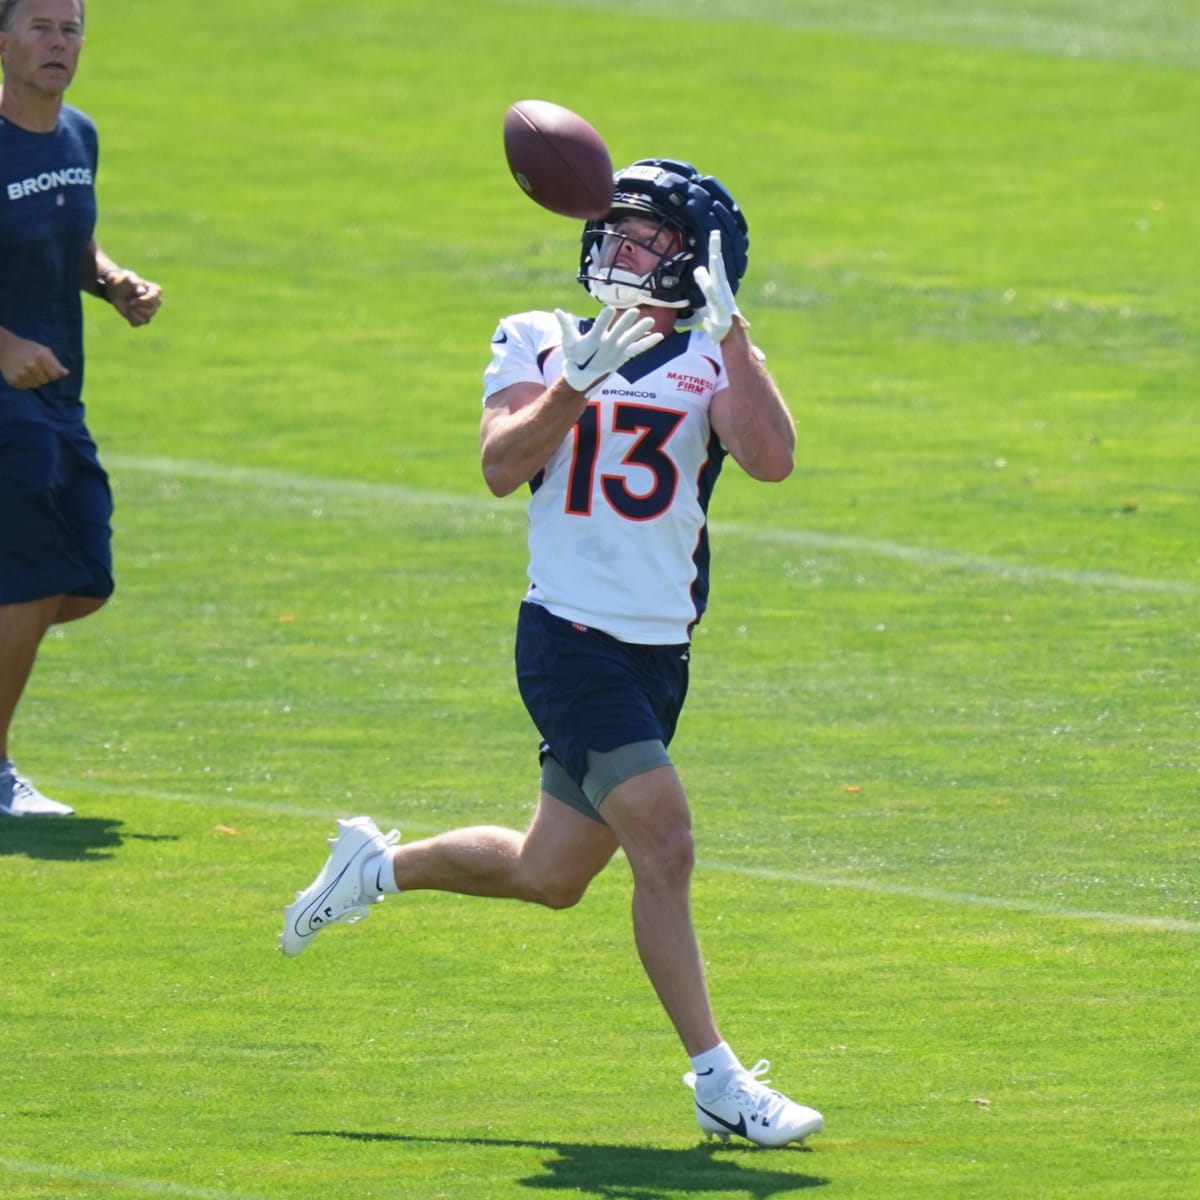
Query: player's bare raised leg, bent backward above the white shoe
<point>553,863</point>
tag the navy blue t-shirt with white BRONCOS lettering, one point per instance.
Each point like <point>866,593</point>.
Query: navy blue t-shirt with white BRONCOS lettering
<point>47,220</point>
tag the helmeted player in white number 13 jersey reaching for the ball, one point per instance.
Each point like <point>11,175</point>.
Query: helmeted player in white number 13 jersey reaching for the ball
<point>620,427</point>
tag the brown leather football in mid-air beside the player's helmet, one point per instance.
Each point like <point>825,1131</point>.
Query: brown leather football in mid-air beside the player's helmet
<point>559,160</point>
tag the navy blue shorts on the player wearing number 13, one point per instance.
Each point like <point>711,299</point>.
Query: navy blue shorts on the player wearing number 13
<point>587,691</point>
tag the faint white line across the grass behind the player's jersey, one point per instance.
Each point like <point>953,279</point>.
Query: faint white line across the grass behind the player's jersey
<point>351,489</point>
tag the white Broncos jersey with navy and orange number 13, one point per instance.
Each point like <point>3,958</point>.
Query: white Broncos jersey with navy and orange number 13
<point>619,517</point>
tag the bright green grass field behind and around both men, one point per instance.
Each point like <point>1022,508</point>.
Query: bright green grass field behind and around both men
<point>943,745</point>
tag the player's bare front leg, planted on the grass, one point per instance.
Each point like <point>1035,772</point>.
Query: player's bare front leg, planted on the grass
<point>650,817</point>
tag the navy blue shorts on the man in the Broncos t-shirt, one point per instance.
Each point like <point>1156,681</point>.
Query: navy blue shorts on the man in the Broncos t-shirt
<point>56,514</point>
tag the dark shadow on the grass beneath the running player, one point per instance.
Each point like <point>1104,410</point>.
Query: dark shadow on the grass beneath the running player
<point>635,1173</point>
